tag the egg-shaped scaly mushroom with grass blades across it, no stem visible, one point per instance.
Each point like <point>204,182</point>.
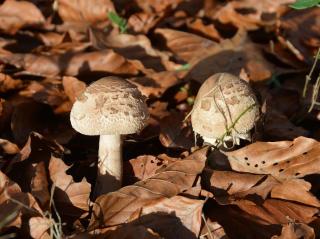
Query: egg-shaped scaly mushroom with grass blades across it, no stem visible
<point>225,109</point>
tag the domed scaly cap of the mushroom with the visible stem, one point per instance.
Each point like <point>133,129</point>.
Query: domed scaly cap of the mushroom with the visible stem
<point>110,105</point>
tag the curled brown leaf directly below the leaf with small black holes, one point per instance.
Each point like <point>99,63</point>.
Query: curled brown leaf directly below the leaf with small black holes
<point>228,187</point>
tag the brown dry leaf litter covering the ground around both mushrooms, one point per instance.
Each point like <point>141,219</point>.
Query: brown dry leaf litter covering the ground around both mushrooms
<point>174,186</point>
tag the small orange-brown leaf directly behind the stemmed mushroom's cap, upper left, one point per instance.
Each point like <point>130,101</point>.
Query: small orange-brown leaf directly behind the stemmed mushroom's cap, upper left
<point>73,87</point>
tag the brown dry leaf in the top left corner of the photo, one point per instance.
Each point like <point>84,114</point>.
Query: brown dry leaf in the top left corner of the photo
<point>17,14</point>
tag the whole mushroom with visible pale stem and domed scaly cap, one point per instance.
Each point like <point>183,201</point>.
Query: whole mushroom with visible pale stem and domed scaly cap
<point>109,107</point>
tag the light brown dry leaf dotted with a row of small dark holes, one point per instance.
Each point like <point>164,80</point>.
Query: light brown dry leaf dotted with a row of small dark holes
<point>282,159</point>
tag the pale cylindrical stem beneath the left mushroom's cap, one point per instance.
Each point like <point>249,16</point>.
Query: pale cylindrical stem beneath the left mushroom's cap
<point>110,164</point>
